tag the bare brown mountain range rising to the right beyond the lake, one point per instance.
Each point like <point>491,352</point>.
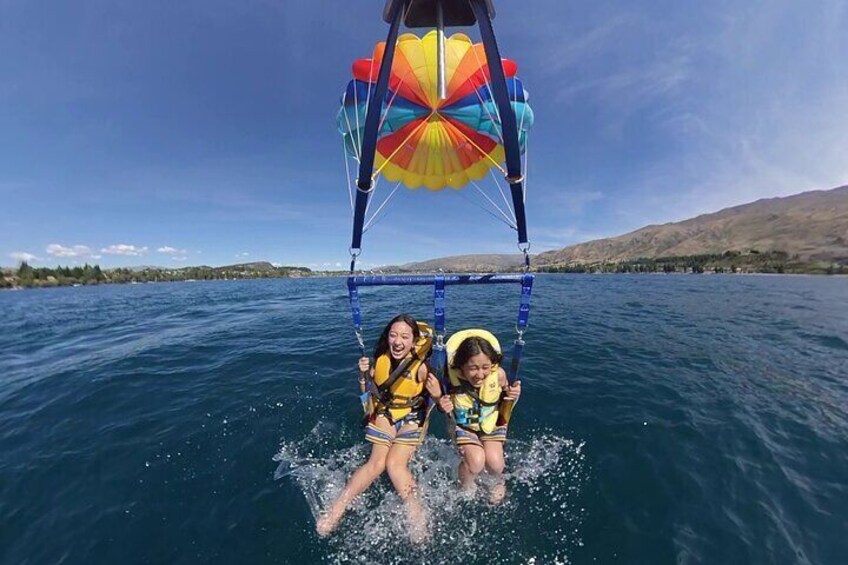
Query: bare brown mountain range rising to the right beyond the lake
<point>810,227</point>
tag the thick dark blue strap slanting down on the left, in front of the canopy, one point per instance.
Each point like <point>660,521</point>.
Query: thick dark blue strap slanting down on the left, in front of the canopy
<point>365,177</point>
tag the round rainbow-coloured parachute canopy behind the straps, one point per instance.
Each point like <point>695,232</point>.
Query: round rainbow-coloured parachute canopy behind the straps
<point>424,140</point>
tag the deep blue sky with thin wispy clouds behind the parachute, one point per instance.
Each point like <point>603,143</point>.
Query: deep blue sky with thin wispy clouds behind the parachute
<point>203,132</point>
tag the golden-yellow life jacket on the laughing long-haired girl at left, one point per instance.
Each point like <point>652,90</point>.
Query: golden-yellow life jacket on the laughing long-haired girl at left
<point>398,395</point>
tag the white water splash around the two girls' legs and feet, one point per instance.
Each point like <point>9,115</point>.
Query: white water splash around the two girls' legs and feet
<point>544,480</point>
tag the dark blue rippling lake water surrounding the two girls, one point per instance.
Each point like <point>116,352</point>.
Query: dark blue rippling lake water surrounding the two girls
<point>664,419</point>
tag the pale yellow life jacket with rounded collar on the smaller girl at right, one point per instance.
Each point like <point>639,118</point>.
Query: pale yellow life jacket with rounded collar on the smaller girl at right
<point>474,409</point>
